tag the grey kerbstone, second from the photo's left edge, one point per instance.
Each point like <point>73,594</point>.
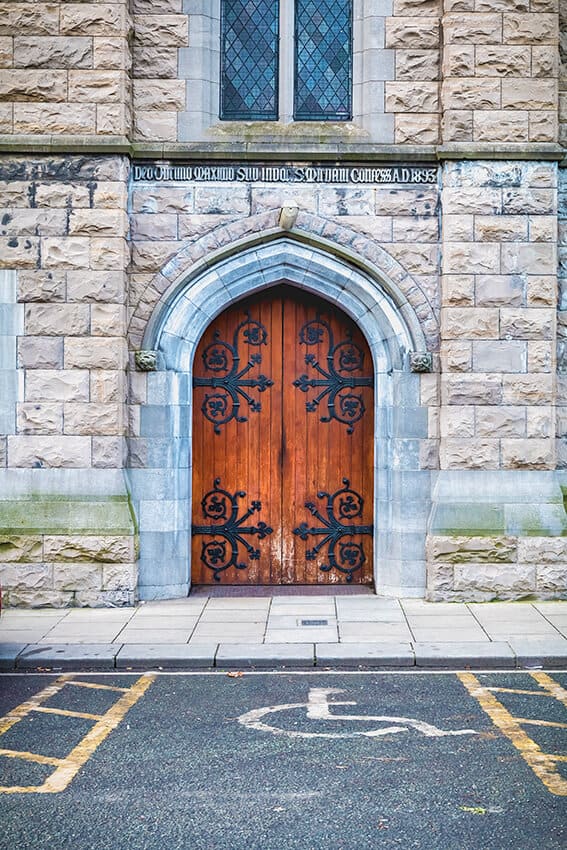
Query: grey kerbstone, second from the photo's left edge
<point>83,656</point>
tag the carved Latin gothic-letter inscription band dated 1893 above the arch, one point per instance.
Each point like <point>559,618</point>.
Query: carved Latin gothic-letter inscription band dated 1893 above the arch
<point>279,173</point>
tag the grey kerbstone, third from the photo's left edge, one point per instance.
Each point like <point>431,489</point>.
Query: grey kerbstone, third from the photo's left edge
<point>178,656</point>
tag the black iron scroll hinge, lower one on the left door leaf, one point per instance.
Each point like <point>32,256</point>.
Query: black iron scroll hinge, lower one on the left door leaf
<point>227,530</point>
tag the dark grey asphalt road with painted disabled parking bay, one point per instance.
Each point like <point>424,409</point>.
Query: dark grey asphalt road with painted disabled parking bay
<point>180,771</point>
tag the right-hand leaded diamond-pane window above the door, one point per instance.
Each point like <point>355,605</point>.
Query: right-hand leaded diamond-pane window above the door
<point>323,60</point>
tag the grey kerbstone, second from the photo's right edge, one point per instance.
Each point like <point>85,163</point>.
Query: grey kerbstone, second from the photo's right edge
<point>464,654</point>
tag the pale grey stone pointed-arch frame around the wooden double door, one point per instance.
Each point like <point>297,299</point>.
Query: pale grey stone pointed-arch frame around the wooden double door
<point>161,485</point>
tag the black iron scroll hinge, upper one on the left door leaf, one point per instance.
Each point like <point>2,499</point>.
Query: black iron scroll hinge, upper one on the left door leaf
<point>227,379</point>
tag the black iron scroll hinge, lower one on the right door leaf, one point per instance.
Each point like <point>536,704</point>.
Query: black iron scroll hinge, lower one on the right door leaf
<point>343,506</point>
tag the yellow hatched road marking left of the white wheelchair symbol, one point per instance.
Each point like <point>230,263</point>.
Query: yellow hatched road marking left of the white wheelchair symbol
<point>68,767</point>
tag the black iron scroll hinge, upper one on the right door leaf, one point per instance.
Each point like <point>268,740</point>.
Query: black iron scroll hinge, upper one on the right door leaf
<point>337,383</point>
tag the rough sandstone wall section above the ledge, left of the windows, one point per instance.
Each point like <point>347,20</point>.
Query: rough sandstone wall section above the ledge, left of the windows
<point>65,69</point>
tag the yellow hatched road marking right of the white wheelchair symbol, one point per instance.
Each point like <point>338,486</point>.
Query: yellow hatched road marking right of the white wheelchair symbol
<point>542,764</point>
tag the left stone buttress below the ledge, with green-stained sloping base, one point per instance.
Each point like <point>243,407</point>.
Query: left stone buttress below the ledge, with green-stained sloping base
<point>64,256</point>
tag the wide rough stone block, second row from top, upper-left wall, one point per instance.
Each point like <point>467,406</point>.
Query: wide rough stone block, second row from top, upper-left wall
<point>52,52</point>
